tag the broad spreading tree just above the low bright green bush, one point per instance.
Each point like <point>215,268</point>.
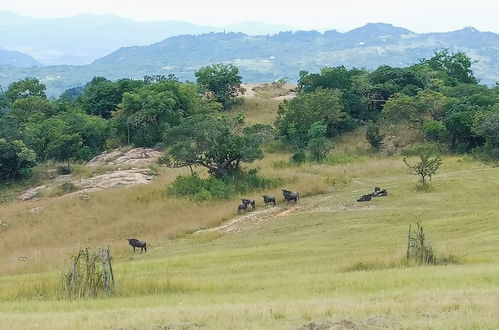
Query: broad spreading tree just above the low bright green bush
<point>218,143</point>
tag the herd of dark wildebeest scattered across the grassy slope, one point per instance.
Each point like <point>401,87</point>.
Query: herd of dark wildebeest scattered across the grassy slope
<point>250,205</point>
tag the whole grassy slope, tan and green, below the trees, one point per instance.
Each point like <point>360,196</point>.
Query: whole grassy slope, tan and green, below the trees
<point>326,262</point>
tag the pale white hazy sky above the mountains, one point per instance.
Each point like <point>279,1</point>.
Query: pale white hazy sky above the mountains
<point>419,16</point>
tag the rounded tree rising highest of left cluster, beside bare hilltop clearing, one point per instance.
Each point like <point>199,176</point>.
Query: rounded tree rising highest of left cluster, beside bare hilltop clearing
<point>222,82</point>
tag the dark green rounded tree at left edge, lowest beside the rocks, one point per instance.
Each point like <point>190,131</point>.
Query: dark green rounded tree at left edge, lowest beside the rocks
<point>16,160</point>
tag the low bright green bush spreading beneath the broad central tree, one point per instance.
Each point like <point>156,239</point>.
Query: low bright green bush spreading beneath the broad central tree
<point>214,188</point>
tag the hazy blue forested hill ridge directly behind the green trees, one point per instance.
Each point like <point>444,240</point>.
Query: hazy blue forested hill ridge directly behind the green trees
<point>270,57</point>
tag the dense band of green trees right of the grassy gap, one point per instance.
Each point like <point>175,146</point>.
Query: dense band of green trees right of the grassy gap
<point>438,100</point>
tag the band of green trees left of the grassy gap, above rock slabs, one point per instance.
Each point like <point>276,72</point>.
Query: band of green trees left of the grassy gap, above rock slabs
<point>84,121</point>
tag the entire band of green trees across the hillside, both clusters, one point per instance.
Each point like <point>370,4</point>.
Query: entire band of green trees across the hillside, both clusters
<point>438,100</point>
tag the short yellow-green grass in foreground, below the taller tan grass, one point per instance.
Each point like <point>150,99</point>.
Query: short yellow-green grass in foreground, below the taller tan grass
<point>286,267</point>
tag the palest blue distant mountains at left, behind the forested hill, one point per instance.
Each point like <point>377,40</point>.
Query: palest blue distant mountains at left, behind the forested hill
<point>81,39</point>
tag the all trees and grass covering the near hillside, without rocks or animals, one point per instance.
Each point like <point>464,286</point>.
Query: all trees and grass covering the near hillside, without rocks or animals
<point>325,261</point>
